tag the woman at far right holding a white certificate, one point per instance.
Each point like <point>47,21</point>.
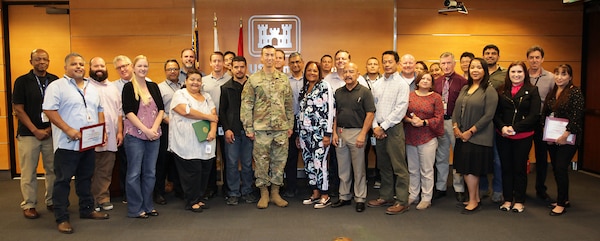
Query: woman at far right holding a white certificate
<point>564,101</point>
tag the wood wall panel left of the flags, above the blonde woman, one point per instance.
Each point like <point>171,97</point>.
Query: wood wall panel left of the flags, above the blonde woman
<point>157,29</point>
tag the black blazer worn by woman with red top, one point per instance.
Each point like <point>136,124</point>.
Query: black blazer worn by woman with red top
<point>522,111</point>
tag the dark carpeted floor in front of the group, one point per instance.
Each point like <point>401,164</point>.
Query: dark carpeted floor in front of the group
<point>442,221</point>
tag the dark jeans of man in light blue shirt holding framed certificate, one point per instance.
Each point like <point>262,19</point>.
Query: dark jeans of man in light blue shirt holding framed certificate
<point>67,164</point>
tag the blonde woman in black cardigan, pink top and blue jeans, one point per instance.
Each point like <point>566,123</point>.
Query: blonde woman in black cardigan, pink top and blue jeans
<point>144,109</point>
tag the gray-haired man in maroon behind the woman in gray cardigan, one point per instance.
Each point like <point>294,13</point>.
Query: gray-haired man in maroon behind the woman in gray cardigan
<point>448,86</point>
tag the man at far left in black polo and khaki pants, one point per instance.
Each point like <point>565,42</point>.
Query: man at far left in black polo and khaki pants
<point>33,133</point>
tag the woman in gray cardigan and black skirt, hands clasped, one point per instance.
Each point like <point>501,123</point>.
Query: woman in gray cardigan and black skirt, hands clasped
<point>474,130</point>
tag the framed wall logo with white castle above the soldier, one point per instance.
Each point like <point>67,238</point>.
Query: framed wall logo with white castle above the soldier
<point>281,31</point>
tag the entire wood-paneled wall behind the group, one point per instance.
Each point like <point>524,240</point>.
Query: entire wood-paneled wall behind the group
<point>160,29</point>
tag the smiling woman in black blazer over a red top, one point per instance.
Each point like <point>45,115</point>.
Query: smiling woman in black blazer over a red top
<point>517,115</point>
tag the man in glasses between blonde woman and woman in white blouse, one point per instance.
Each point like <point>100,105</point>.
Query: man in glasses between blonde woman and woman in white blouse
<point>165,164</point>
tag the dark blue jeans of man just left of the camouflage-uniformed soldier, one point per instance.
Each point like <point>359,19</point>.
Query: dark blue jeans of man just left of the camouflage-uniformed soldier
<point>240,150</point>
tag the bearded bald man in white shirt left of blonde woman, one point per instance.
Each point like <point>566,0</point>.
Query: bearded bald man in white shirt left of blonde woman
<point>113,114</point>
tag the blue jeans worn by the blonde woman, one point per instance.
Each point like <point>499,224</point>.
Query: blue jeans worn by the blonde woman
<point>141,171</point>
